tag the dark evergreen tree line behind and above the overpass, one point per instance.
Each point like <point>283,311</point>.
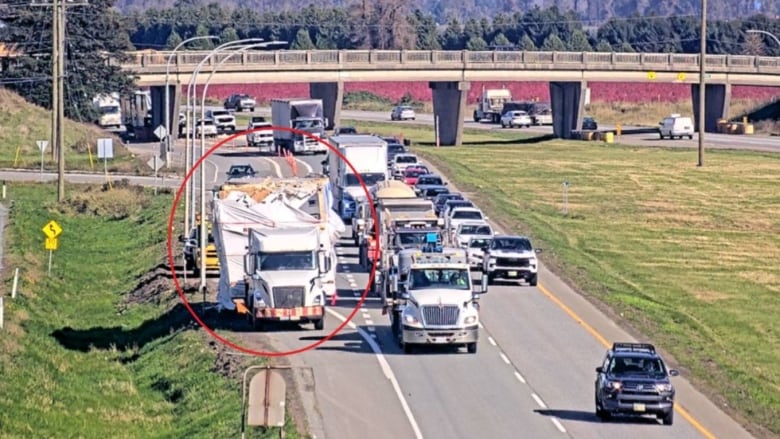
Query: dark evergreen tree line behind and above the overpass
<point>99,32</point>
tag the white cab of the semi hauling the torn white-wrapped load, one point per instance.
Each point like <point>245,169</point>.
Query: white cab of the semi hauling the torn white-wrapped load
<point>284,271</point>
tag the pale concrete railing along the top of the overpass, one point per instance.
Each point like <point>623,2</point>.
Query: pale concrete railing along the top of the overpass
<point>143,61</point>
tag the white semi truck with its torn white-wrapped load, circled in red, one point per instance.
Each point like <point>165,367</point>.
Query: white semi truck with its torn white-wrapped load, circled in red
<point>275,240</point>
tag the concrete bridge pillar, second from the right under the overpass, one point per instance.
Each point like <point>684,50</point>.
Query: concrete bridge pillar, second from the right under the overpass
<point>567,100</point>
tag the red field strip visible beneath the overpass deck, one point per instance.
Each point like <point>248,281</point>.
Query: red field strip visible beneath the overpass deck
<point>419,91</point>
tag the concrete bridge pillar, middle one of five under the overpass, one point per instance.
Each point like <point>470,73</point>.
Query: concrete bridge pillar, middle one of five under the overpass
<point>449,106</point>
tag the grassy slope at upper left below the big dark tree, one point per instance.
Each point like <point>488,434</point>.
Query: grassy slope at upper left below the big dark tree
<point>23,124</point>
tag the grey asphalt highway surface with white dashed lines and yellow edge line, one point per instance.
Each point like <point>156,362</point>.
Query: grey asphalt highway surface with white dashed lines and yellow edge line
<point>533,374</point>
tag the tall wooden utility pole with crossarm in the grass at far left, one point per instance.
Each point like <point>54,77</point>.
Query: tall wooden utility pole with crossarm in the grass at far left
<point>58,85</point>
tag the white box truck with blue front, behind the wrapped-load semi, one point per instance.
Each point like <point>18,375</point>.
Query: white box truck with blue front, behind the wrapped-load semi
<point>368,156</point>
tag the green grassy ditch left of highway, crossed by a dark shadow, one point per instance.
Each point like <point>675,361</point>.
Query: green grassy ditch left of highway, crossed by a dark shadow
<point>101,347</point>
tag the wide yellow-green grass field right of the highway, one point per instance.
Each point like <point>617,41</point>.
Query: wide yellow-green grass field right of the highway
<point>684,255</point>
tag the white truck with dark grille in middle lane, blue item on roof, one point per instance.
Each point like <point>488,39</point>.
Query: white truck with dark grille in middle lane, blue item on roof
<point>433,298</point>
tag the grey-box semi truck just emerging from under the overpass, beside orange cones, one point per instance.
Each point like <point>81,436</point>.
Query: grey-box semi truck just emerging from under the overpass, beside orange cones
<point>303,114</point>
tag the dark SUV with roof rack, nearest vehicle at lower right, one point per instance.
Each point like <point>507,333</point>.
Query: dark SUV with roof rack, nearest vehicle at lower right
<point>634,380</point>
